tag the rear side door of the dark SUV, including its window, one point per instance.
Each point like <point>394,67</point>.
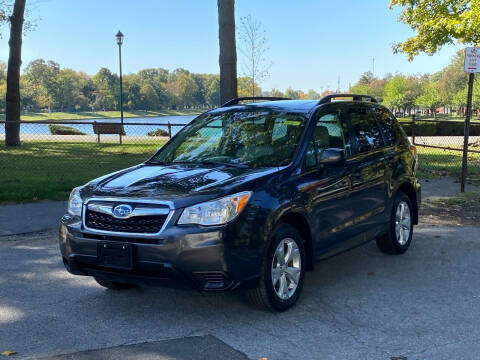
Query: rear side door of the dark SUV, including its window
<point>368,181</point>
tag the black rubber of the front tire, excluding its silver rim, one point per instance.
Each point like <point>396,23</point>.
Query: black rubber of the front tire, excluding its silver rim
<point>264,294</point>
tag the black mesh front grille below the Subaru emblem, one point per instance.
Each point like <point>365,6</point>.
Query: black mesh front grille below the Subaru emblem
<point>137,224</point>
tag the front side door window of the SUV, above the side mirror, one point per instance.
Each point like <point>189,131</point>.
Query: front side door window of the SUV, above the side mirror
<point>328,133</point>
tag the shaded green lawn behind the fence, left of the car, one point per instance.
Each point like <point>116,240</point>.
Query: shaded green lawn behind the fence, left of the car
<point>49,170</point>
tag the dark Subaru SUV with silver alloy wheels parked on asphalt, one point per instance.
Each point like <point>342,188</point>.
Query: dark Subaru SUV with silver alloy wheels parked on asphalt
<point>252,195</point>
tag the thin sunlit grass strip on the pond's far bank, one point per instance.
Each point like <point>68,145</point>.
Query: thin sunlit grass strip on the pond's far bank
<point>101,114</point>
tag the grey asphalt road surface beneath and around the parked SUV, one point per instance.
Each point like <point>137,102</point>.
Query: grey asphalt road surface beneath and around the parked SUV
<point>360,305</point>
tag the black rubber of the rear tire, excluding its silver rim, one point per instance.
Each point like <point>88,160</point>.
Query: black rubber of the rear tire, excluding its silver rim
<point>388,243</point>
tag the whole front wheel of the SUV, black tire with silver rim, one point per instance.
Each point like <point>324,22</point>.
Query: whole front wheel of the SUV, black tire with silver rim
<point>290,275</point>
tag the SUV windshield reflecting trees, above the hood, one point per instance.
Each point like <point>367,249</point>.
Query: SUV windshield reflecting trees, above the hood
<point>256,139</point>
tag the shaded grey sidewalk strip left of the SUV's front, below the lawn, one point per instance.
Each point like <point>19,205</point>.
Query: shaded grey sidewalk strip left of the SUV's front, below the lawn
<point>26,218</point>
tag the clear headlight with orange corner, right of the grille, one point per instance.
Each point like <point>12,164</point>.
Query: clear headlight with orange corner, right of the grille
<point>216,212</point>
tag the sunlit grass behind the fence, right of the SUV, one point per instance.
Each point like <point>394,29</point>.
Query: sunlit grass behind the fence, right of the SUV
<point>437,162</point>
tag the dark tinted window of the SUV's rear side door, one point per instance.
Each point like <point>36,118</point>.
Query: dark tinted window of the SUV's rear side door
<point>365,129</point>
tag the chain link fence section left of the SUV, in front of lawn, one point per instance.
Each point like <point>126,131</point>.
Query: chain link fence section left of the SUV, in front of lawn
<point>56,156</point>
